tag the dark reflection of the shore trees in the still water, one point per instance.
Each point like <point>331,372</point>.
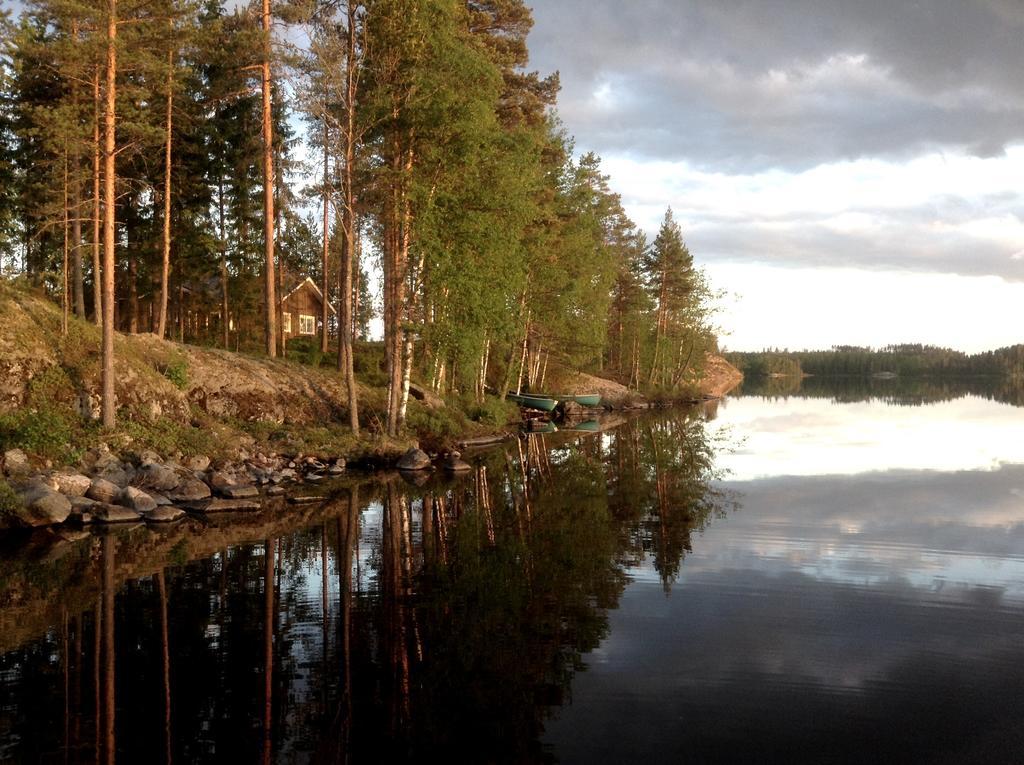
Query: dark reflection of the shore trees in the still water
<point>447,620</point>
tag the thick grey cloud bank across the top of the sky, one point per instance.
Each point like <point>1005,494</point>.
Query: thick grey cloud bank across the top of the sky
<point>746,87</point>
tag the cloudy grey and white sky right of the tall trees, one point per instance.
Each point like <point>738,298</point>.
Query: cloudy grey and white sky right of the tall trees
<point>846,173</point>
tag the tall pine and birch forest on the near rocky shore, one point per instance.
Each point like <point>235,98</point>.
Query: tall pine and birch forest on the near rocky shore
<point>177,166</point>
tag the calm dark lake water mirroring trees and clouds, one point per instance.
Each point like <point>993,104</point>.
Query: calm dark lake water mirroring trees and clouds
<point>834,577</point>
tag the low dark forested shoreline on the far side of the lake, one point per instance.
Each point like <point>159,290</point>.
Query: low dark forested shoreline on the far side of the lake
<point>903,361</point>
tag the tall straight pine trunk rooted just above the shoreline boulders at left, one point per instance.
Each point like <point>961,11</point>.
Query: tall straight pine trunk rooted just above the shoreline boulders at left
<point>110,156</point>
